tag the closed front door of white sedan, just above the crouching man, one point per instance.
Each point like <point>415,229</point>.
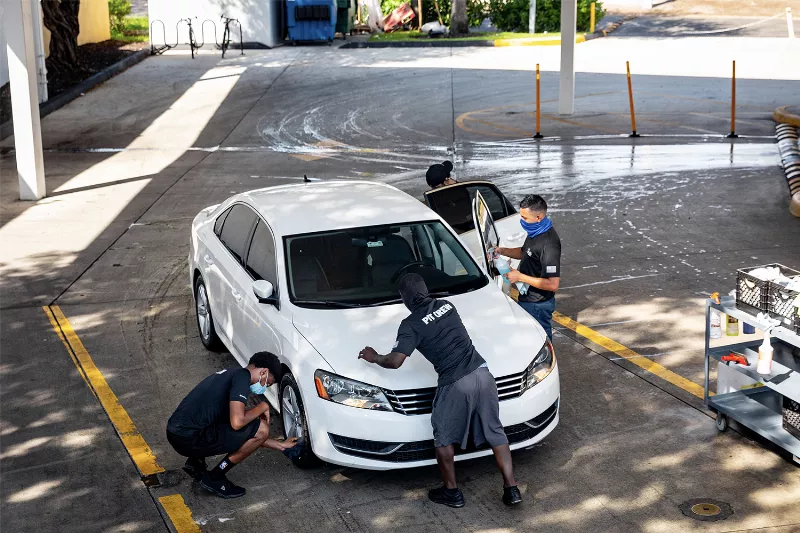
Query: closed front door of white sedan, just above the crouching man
<point>258,330</point>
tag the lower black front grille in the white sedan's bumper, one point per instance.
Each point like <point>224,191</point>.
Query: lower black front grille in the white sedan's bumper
<point>399,452</point>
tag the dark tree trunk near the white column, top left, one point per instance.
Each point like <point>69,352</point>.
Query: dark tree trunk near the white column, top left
<point>61,18</point>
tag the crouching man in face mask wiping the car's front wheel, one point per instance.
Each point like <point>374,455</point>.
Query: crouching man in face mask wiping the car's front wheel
<point>212,420</point>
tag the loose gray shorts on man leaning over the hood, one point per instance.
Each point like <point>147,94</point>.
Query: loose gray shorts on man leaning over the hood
<point>470,405</point>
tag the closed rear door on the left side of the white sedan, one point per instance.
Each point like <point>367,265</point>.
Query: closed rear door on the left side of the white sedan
<point>226,269</point>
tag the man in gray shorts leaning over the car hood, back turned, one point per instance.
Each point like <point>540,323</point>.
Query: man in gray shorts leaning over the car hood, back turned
<point>466,400</point>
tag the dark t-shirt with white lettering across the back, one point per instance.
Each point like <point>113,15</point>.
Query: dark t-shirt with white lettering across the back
<point>437,332</point>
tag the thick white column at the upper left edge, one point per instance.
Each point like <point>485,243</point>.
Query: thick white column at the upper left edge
<point>18,29</point>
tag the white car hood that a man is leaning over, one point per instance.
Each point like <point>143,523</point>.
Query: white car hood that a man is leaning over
<point>503,333</point>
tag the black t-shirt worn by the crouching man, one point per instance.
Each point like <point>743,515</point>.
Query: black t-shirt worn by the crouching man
<point>209,402</point>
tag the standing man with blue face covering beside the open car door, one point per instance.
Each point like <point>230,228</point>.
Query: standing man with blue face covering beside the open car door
<point>540,265</point>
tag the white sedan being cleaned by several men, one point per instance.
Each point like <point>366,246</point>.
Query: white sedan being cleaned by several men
<point>309,273</point>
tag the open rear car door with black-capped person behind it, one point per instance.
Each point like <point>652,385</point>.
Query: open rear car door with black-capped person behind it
<point>454,204</point>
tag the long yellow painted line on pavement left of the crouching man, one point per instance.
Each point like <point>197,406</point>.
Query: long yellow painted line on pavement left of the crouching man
<point>133,441</point>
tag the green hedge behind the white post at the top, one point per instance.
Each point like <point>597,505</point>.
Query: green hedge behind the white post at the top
<point>512,15</point>
